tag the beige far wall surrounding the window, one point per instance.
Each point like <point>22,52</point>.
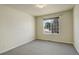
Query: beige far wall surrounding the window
<point>66,26</point>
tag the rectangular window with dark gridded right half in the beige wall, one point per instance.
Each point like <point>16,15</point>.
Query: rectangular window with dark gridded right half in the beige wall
<point>51,25</point>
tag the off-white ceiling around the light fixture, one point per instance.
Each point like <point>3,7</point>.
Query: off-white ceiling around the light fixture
<point>50,8</point>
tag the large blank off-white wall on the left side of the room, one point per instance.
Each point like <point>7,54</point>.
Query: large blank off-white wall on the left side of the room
<point>16,28</point>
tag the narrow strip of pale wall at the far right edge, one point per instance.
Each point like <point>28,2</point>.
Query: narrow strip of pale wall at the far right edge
<point>76,27</point>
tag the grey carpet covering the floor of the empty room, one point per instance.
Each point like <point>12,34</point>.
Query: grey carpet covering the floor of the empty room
<point>39,47</point>
